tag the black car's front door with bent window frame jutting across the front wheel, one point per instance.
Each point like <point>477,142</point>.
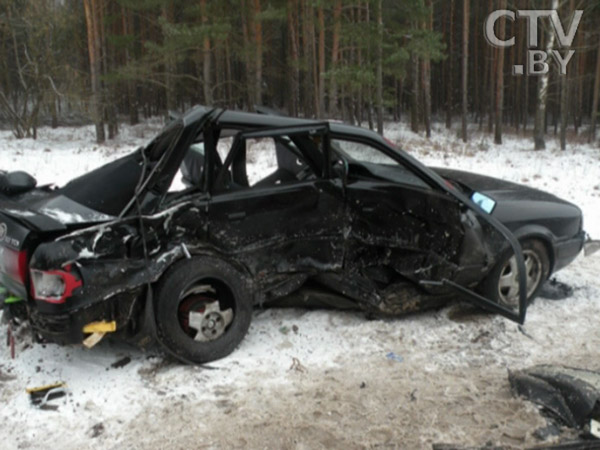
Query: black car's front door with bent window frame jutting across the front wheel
<point>414,222</point>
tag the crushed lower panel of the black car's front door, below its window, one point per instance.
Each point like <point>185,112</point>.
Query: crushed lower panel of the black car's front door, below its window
<point>419,230</point>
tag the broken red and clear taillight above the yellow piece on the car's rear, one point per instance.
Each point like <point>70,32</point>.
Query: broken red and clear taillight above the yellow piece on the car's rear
<point>53,286</point>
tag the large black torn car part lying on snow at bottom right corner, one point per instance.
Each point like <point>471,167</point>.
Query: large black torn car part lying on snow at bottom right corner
<point>570,395</point>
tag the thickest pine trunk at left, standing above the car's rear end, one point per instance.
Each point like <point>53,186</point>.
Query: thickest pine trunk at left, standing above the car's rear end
<point>91,19</point>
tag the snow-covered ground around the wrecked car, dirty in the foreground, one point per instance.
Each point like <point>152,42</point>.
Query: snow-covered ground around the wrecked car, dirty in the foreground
<point>316,379</point>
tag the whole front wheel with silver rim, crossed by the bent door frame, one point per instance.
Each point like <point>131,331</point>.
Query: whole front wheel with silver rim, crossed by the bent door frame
<point>502,284</point>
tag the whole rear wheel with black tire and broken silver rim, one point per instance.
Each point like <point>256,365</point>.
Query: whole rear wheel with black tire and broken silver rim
<point>203,309</point>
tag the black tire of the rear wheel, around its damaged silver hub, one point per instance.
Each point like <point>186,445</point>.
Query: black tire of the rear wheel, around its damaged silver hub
<point>232,290</point>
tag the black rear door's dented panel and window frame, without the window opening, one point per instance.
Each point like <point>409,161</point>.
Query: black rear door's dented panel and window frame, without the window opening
<point>295,226</point>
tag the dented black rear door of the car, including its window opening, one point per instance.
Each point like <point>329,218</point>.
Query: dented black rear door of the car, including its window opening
<point>273,206</point>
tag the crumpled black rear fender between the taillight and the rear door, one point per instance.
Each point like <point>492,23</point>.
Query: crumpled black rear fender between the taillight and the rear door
<point>111,257</point>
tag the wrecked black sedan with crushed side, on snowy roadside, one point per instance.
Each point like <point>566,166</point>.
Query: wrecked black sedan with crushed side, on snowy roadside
<point>225,210</point>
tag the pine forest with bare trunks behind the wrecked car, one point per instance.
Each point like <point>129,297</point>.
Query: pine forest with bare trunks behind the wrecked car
<point>360,61</point>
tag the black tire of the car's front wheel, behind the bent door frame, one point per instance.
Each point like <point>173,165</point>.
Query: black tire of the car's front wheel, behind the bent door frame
<point>534,251</point>
